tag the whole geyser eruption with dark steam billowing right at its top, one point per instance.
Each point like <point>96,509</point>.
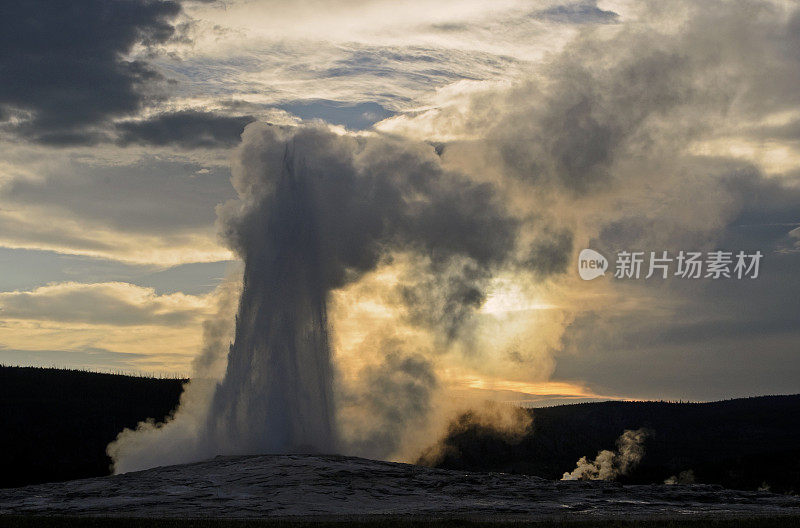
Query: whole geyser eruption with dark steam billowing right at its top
<point>316,210</point>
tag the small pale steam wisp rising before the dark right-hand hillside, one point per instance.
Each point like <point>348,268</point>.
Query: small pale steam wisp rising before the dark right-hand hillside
<point>608,465</point>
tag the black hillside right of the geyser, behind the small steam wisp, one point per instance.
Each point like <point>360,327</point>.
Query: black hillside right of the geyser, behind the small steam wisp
<point>741,443</point>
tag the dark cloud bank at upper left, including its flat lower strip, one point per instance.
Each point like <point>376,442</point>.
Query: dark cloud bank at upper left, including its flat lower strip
<point>68,76</point>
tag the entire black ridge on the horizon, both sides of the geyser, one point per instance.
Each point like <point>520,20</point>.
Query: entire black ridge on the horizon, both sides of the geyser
<point>56,425</point>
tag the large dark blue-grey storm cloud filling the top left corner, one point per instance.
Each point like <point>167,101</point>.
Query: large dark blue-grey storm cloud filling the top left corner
<point>63,64</point>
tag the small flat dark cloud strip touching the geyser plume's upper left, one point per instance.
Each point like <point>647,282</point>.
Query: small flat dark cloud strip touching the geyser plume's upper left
<point>187,129</point>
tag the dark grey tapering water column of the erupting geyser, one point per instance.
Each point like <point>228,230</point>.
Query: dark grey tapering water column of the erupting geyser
<point>276,396</point>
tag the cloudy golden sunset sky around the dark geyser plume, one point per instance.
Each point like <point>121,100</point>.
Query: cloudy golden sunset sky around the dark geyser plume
<point>615,125</point>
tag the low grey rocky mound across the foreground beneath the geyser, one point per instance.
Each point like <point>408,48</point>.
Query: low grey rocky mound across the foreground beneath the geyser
<point>333,486</point>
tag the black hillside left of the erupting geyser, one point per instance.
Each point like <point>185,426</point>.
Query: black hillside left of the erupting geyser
<point>55,424</point>
